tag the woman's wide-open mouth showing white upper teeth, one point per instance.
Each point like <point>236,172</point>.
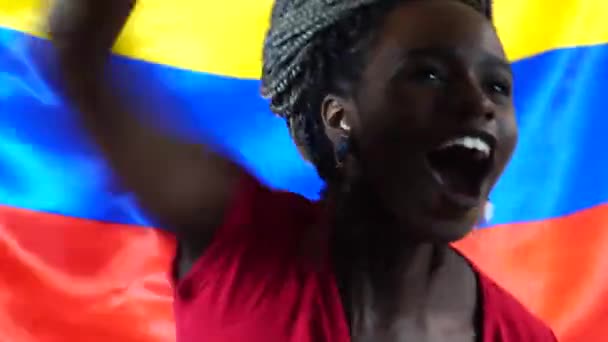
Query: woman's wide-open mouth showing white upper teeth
<point>462,164</point>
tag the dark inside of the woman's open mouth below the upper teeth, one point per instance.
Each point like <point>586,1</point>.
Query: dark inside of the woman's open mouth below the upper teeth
<point>460,169</point>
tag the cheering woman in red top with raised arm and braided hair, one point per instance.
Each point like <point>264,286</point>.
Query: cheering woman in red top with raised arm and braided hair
<point>404,107</point>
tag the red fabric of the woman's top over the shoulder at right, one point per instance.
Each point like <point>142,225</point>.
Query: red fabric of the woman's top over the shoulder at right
<point>505,316</point>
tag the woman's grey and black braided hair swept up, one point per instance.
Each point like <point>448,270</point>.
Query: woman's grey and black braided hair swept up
<point>317,47</point>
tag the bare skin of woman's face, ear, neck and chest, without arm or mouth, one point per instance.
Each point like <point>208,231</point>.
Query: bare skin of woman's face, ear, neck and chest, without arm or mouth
<point>437,69</point>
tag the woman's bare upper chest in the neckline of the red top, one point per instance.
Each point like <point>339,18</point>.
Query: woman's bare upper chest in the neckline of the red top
<point>444,308</point>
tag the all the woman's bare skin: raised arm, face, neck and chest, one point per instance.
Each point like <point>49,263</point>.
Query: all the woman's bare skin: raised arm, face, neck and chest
<point>437,69</point>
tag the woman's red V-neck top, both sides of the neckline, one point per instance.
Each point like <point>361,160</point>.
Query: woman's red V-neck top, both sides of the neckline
<point>266,277</point>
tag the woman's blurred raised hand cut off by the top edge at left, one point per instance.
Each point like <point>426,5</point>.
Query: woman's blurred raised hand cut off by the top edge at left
<point>84,31</point>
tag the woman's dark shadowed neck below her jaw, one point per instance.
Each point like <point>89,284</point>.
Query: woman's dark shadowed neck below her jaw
<point>369,243</point>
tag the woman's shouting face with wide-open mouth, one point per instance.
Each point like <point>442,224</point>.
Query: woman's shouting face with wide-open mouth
<point>433,117</point>
